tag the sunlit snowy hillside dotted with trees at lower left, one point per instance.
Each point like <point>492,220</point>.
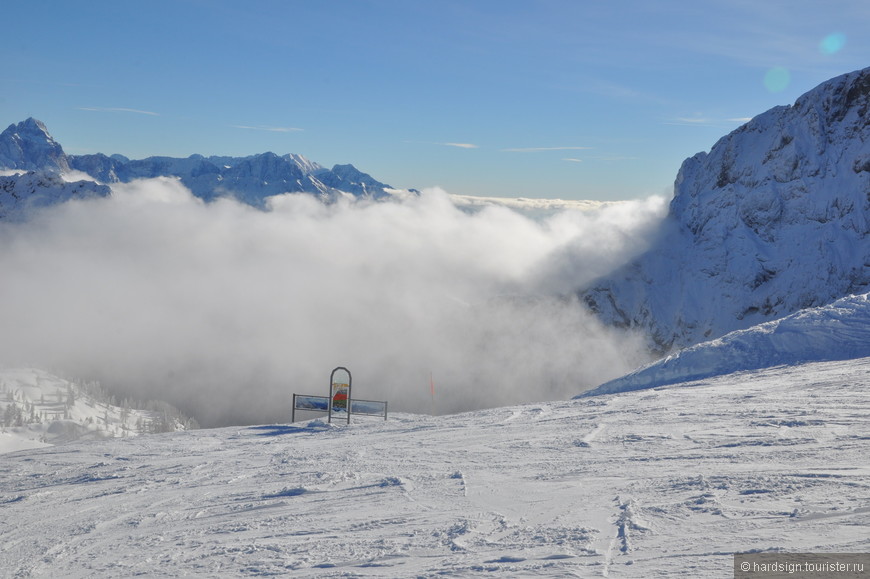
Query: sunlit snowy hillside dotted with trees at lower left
<point>40,409</point>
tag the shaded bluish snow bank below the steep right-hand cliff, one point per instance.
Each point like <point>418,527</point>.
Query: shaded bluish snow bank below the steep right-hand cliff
<point>838,331</point>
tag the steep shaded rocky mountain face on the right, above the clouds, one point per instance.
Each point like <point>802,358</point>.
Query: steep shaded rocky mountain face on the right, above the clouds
<point>774,219</point>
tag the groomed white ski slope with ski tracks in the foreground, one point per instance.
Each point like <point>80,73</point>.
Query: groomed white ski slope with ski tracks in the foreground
<point>652,483</point>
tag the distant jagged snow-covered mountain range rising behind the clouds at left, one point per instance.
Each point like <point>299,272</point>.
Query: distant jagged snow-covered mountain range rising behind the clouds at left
<point>28,146</point>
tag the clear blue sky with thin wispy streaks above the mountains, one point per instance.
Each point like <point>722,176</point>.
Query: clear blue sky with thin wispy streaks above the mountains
<point>551,98</point>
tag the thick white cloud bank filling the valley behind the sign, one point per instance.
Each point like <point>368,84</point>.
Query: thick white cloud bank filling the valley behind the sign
<point>225,310</point>
